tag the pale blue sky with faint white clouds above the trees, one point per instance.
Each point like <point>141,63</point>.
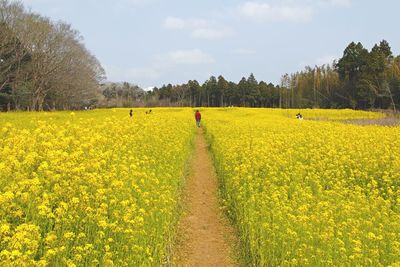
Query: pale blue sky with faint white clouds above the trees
<point>152,42</point>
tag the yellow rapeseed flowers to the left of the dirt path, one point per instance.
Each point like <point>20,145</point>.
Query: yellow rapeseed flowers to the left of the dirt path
<point>91,188</point>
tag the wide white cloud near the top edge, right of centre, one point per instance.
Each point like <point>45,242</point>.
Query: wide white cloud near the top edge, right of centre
<point>261,11</point>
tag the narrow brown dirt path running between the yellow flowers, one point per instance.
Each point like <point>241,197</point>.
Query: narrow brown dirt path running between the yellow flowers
<point>204,236</point>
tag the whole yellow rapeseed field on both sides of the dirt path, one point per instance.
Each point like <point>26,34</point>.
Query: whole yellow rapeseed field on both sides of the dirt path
<point>97,188</point>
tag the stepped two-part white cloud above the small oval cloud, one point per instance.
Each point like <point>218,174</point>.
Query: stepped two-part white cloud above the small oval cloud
<point>199,28</point>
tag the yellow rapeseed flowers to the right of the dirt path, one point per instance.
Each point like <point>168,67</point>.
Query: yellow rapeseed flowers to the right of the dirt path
<point>309,193</point>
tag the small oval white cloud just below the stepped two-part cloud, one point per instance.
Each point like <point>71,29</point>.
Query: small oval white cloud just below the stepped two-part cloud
<point>189,57</point>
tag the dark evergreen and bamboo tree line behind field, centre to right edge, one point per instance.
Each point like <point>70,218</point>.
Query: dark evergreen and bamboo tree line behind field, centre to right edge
<point>360,79</point>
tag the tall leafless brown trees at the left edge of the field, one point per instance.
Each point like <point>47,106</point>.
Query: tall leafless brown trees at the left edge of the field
<point>44,64</point>
